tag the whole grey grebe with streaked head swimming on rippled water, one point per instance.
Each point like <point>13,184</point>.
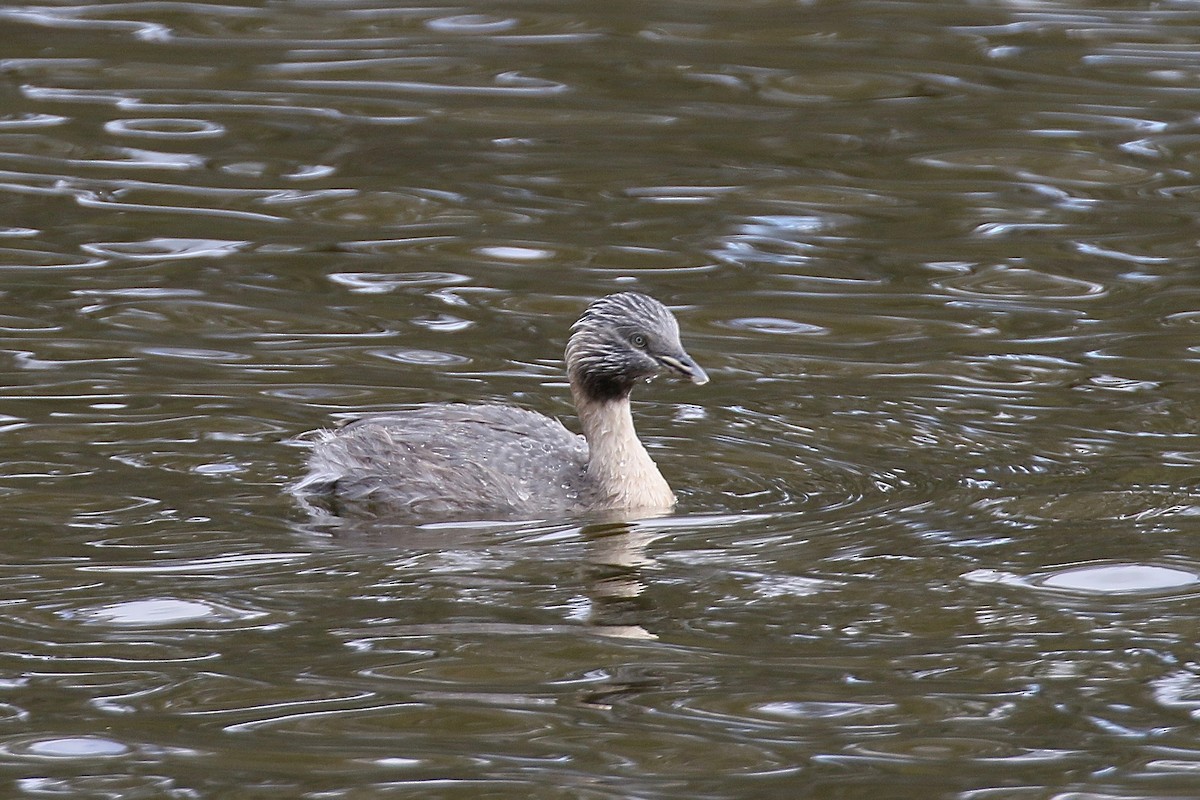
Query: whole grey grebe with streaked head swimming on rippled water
<point>455,461</point>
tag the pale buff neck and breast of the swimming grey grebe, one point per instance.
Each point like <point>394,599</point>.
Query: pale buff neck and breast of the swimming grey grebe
<point>620,468</point>
